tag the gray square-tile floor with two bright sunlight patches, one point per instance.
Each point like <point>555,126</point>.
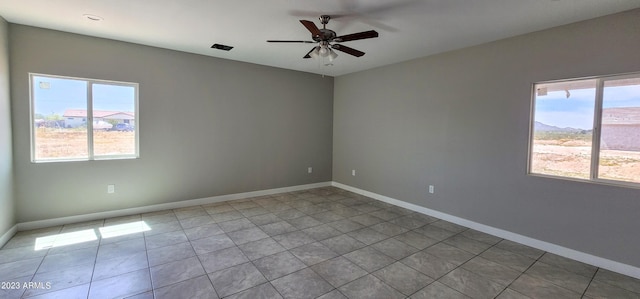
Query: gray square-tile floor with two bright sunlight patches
<point>320,243</point>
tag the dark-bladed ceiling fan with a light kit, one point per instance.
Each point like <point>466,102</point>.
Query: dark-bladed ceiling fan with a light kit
<point>327,40</point>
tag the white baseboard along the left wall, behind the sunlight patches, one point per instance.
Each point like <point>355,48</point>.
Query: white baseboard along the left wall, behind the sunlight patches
<point>159,207</point>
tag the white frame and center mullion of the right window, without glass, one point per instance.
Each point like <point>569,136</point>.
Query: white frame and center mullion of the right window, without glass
<point>596,131</point>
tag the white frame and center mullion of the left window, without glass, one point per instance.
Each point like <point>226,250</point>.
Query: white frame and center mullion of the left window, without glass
<point>89,120</point>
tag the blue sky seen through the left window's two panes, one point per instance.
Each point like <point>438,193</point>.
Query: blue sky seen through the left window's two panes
<point>64,94</point>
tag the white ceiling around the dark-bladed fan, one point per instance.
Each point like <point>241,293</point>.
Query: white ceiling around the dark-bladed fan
<point>408,28</point>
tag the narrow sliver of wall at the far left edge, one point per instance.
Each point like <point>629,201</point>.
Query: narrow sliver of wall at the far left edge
<point>7,218</point>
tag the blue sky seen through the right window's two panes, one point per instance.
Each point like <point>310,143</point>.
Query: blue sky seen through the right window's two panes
<point>556,109</point>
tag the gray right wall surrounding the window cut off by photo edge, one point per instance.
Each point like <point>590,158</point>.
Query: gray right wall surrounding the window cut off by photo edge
<point>460,121</point>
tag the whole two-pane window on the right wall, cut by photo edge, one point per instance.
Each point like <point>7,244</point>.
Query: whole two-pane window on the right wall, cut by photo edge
<point>587,129</point>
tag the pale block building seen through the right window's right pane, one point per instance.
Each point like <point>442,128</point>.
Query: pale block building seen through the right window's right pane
<point>621,129</point>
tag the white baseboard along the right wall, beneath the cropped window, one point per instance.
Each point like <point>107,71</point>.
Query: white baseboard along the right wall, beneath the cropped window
<point>535,243</point>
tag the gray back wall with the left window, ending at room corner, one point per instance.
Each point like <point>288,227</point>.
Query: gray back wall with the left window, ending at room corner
<point>208,126</point>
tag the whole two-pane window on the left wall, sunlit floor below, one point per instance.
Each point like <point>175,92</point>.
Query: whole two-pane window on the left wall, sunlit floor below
<point>82,119</point>
